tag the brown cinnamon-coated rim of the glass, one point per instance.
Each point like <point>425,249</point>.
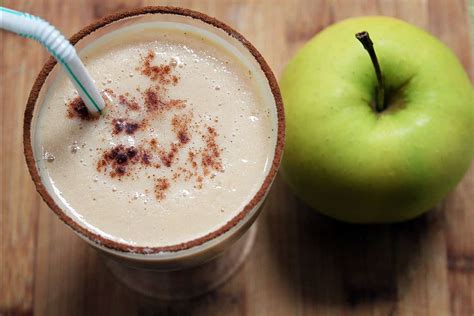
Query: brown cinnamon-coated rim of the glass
<point>123,247</point>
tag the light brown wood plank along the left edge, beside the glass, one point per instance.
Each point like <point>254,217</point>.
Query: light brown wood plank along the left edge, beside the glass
<point>19,201</point>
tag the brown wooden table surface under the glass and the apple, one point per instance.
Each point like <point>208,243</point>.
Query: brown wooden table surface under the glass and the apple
<point>302,263</point>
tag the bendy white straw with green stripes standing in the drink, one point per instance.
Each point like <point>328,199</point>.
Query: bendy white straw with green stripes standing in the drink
<point>30,26</point>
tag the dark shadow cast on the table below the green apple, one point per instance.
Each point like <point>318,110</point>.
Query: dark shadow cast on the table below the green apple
<point>335,263</point>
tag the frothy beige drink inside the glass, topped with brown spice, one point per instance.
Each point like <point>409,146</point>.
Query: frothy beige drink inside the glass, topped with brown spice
<point>203,146</point>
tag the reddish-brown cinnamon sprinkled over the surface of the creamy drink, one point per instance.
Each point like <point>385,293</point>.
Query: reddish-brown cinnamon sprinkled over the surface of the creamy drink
<point>121,160</point>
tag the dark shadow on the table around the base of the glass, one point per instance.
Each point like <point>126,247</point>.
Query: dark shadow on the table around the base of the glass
<point>108,296</point>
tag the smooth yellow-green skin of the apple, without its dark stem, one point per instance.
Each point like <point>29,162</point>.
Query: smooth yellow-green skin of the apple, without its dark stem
<point>354,164</point>
